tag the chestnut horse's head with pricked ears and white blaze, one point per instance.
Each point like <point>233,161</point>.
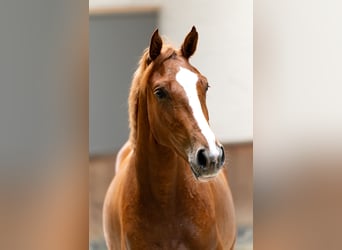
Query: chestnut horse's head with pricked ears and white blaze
<point>177,113</point>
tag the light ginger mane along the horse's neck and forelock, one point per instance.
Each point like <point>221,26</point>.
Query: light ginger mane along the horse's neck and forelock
<point>139,83</point>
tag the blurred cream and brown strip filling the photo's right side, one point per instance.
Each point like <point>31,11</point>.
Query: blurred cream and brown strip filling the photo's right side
<point>297,82</point>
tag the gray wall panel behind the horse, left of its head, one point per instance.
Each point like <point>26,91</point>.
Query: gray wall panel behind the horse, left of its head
<point>116,42</point>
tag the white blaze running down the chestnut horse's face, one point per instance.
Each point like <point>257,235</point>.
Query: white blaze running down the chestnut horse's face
<point>188,80</point>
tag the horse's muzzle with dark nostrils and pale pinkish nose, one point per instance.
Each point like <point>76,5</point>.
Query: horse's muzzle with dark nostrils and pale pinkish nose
<point>205,164</point>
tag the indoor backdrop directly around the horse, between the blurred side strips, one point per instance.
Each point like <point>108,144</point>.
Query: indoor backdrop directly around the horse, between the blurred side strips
<point>119,31</point>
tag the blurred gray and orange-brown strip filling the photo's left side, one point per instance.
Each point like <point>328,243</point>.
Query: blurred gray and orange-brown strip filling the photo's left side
<point>44,124</point>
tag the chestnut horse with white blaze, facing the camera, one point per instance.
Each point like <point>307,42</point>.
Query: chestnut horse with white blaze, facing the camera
<point>168,191</point>
